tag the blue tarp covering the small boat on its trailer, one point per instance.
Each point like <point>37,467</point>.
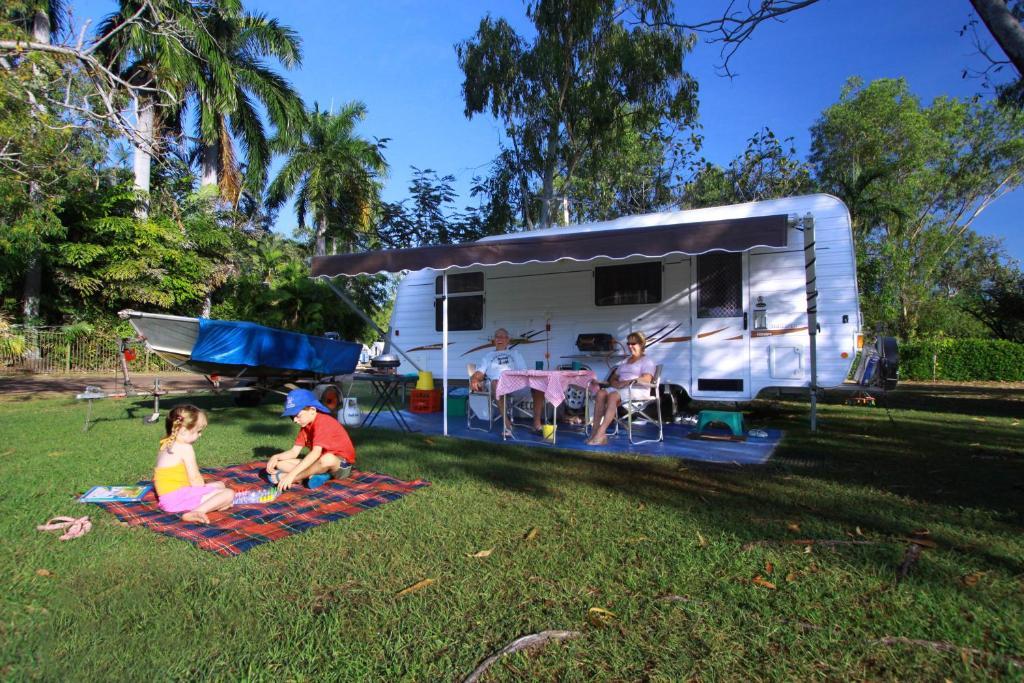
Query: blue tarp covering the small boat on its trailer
<point>234,344</point>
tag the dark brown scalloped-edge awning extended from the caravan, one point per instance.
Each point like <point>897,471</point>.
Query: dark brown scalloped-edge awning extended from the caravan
<point>738,235</point>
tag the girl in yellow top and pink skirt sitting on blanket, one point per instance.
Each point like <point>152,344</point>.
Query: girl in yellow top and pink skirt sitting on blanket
<point>177,478</point>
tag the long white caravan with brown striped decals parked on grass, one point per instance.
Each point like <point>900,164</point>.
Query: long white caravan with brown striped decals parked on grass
<point>728,319</point>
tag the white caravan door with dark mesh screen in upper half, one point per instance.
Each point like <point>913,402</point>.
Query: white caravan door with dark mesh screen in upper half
<point>721,361</point>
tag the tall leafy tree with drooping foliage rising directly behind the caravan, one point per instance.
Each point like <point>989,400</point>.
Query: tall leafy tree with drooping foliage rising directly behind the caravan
<point>592,69</point>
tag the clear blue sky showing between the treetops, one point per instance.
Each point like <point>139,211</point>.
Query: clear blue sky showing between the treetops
<point>399,59</point>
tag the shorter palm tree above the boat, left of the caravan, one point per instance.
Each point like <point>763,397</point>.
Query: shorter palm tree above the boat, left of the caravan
<point>334,174</point>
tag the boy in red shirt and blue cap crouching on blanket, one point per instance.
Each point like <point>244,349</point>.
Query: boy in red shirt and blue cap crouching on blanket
<point>331,453</point>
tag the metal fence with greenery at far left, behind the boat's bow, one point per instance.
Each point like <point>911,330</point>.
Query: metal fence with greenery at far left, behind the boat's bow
<point>58,352</point>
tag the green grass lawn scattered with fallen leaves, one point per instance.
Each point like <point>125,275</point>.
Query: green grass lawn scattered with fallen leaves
<point>662,545</point>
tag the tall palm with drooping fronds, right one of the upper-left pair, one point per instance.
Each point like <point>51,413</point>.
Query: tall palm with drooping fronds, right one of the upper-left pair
<point>245,40</point>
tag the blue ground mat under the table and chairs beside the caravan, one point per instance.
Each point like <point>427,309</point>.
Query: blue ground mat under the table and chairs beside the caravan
<point>676,445</point>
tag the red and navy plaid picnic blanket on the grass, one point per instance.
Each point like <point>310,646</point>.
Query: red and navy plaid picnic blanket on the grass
<point>242,528</point>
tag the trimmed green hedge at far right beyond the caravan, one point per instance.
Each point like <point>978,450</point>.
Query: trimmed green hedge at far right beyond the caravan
<point>962,360</point>
